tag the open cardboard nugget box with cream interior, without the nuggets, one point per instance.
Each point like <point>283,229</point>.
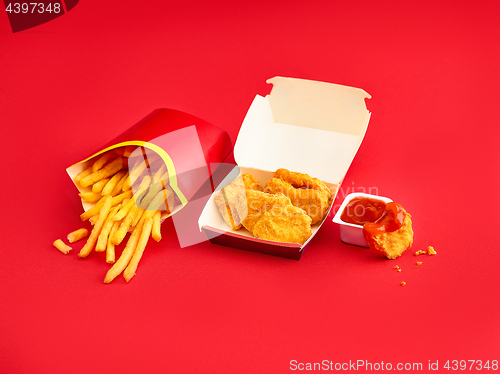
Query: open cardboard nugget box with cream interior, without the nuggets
<point>305,126</point>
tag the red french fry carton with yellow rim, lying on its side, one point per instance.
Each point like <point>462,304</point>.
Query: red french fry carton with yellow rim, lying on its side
<point>173,151</point>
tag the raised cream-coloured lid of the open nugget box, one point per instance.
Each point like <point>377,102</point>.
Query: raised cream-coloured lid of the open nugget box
<point>305,126</point>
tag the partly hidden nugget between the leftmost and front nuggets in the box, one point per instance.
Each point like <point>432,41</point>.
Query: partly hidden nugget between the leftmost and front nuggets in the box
<point>259,203</point>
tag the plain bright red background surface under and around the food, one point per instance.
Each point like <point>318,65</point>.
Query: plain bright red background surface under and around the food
<point>73,84</point>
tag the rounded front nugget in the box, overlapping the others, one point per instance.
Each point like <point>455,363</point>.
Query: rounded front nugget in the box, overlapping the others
<point>284,224</point>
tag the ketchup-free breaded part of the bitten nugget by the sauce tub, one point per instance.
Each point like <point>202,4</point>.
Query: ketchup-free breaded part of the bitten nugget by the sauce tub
<point>392,244</point>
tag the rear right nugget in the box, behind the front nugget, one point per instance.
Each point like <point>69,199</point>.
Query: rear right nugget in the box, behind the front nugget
<point>314,202</point>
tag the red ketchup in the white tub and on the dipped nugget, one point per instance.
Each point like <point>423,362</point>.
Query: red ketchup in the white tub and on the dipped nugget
<point>375,216</point>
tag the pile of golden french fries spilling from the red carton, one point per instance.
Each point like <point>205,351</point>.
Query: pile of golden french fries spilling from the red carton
<point>130,189</point>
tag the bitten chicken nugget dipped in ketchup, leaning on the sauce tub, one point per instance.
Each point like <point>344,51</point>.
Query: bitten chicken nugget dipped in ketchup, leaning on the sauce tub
<point>391,243</point>
